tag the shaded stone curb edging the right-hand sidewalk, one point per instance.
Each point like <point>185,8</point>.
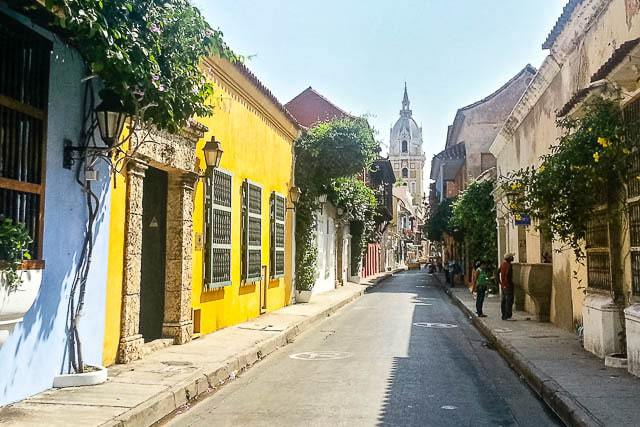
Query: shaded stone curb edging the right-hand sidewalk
<point>566,407</point>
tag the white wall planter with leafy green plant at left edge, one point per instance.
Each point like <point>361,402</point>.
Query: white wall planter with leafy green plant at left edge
<point>19,279</point>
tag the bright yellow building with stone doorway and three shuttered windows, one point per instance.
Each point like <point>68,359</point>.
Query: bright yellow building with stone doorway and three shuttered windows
<point>195,250</point>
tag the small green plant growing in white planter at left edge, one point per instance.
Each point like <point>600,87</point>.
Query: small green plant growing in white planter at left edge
<point>14,248</point>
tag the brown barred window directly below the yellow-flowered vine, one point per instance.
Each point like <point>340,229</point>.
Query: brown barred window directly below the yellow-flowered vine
<point>598,254</point>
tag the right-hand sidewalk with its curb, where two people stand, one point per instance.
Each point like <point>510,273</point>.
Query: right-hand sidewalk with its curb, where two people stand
<point>573,382</point>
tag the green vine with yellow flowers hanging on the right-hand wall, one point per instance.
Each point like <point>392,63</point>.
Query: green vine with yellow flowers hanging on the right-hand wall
<point>588,168</point>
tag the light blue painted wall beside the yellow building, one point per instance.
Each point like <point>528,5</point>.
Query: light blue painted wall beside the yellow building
<point>36,351</point>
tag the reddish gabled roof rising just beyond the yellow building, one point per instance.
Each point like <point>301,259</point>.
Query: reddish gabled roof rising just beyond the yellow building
<point>309,108</point>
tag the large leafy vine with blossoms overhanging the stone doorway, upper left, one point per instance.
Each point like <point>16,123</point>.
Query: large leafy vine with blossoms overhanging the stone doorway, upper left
<point>147,53</point>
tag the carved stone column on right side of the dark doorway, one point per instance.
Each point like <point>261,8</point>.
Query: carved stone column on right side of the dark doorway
<point>178,323</point>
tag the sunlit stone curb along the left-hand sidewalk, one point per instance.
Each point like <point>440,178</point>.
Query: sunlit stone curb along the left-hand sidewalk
<point>204,382</point>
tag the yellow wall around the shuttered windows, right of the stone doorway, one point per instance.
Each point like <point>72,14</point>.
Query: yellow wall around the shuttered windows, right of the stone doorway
<point>257,136</point>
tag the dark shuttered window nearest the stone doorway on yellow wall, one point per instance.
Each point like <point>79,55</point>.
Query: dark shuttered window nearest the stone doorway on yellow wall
<point>218,230</point>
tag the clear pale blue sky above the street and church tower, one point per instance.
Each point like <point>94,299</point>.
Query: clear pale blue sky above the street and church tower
<point>359,53</point>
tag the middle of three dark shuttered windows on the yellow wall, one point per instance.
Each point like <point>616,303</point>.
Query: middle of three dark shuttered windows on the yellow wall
<point>251,232</point>
